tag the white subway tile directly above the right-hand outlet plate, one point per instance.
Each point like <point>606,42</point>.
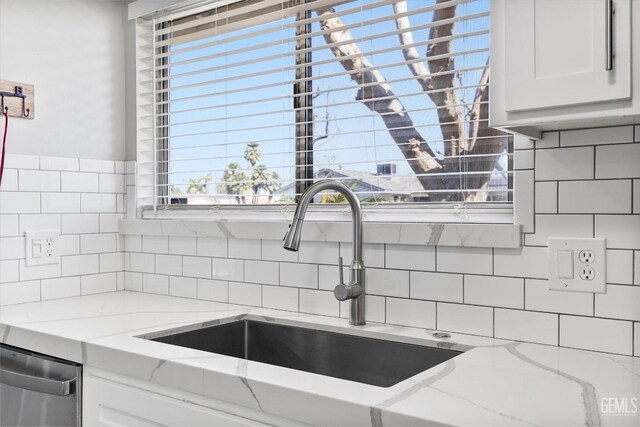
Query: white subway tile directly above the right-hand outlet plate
<point>559,226</point>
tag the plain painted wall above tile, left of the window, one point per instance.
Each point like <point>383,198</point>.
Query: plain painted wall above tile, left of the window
<point>73,51</point>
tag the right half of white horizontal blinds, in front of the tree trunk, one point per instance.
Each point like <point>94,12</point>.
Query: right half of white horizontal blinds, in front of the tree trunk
<point>399,104</point>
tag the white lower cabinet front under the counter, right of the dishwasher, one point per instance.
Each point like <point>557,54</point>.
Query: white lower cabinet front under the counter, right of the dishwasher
<point>114,403</point>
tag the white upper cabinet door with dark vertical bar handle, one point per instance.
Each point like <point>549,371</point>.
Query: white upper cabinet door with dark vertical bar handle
<point>556,53</point>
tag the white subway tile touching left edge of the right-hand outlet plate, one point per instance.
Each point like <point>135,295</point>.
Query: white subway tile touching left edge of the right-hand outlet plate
<point>523,262</point>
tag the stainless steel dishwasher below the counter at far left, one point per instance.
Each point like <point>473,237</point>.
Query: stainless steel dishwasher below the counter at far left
<point>38,390</point>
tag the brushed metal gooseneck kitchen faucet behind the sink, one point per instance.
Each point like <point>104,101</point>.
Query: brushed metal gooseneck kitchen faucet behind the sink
<point>355,289</point>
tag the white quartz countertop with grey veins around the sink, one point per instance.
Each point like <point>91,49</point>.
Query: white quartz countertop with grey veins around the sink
<point>496,382</point>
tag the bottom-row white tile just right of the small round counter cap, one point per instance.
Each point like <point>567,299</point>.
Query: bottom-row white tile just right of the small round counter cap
<point>466,319</point>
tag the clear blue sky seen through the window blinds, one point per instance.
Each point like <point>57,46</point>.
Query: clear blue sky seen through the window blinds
<point>231,110</point>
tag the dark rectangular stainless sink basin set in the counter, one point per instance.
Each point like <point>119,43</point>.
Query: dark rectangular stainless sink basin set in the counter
<point>371,361</point>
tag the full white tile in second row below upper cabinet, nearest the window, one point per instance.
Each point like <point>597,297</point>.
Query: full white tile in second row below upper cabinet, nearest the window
<point>564,163</point>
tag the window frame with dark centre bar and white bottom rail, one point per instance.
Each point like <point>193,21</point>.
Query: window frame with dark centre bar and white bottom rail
<point>415,212</point>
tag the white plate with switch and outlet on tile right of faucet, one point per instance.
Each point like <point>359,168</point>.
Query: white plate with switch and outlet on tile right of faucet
<point>576,284</point>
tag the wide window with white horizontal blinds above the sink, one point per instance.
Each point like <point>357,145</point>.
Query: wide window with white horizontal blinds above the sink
<point>249,102</point>
